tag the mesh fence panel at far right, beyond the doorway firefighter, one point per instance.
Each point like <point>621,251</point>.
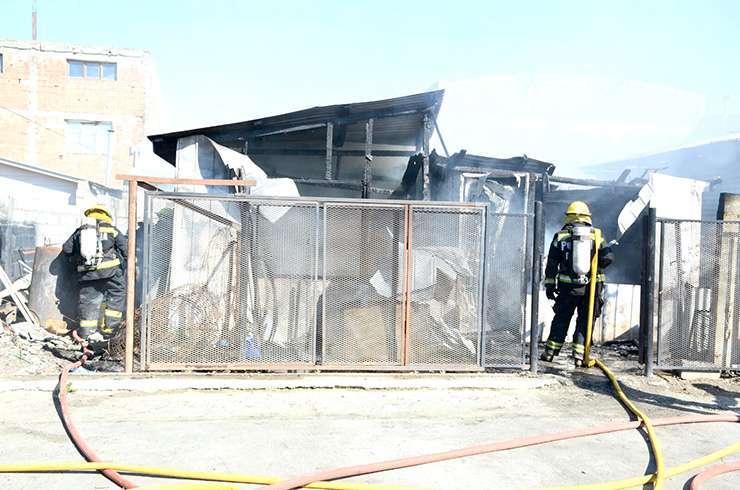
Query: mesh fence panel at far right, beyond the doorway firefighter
<point>698,297</point>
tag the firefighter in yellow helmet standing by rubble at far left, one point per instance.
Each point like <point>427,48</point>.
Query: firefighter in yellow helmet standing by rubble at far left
<point>99,252</point>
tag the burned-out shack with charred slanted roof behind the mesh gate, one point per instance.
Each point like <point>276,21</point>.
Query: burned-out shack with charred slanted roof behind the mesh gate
<point>354,178</point>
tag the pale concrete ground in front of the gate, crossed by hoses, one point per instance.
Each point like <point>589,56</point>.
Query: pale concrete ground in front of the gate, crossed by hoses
<point>292,424</point>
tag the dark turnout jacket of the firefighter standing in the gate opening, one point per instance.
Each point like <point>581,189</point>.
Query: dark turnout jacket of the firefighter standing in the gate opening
<point>559,269</point>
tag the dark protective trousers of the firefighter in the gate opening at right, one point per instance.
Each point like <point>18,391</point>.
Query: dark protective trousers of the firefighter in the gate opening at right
<point>565,305</point>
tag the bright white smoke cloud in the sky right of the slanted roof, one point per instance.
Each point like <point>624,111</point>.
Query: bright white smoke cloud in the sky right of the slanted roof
<point>569,120</point>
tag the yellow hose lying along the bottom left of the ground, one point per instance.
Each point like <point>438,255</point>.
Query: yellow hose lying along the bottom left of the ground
<point>186,475</point>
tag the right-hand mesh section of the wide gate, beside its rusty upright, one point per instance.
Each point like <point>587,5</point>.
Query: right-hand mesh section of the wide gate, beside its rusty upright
<point>444,316</point>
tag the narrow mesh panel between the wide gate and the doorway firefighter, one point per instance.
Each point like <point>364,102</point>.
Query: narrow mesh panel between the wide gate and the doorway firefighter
<point>507,276</point>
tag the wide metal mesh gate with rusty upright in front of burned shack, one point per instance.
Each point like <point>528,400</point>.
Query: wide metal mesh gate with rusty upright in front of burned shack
<point>234,282</point>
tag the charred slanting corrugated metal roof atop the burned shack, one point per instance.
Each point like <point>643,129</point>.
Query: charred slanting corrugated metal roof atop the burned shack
<point>397,120</point>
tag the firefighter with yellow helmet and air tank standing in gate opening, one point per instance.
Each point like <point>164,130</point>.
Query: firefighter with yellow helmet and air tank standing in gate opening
<point>567,277</point>
